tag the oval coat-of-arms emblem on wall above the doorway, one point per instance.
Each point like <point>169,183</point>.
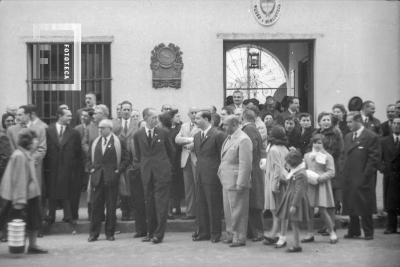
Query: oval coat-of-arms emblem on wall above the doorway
<point>266,12</point>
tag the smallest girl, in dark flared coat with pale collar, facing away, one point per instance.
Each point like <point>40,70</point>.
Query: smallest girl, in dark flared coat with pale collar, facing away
<point>295,205</point>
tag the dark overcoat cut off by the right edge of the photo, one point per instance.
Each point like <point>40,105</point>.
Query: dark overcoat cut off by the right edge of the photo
<point>391,173</point>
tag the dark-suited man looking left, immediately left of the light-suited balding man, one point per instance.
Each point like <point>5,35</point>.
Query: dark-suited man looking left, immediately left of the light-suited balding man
<point>207,147</point>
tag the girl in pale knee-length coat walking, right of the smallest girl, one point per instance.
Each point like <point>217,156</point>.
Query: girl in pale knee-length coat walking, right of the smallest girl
<point>319,191</point>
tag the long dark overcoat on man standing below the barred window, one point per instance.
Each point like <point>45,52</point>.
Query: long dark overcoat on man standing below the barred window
<point>62,163</point>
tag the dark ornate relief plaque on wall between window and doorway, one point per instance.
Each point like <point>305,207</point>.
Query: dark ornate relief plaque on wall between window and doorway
<point>166,65</point>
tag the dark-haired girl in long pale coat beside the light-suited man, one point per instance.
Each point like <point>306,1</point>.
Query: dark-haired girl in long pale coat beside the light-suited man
<point>275,173</point>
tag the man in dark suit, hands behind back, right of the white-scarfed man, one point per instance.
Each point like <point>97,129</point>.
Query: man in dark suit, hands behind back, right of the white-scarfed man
<point>154,152</point>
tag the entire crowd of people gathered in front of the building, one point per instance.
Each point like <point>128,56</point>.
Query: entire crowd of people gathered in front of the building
<point>236,165</point>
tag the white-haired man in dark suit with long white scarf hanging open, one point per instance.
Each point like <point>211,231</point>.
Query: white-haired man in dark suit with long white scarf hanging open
<point>108,160</point>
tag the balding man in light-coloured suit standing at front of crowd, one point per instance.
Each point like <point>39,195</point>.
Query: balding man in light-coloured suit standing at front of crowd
<point>235,175</point>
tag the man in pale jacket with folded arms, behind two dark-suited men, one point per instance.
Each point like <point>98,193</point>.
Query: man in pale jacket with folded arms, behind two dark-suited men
<point>188,162</point>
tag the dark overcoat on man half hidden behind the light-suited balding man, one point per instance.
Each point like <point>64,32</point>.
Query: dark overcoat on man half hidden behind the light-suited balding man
<point>256,200</point>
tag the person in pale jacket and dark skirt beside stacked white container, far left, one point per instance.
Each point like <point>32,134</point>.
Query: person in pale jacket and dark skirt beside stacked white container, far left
<point>20,189</point>
